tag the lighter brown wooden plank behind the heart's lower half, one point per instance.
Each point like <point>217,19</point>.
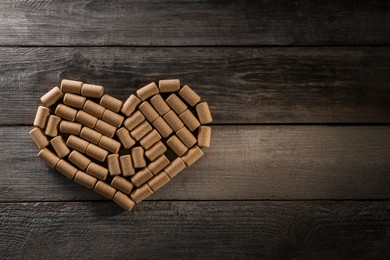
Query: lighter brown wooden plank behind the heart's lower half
<point>244,162</point>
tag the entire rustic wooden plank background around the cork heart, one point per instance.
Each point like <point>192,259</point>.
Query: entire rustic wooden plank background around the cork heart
<point>300,159</point>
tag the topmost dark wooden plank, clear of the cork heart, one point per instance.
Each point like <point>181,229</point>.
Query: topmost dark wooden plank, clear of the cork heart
<point>161,23</point>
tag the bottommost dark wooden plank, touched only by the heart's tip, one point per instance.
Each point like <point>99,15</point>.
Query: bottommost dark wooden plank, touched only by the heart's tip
<point>196,230</point>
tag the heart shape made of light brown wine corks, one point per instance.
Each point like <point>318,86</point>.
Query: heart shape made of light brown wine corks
<point>123,151</point>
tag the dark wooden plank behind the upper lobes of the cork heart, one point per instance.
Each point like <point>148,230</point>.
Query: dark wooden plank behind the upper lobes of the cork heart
<point>242,85</point>
